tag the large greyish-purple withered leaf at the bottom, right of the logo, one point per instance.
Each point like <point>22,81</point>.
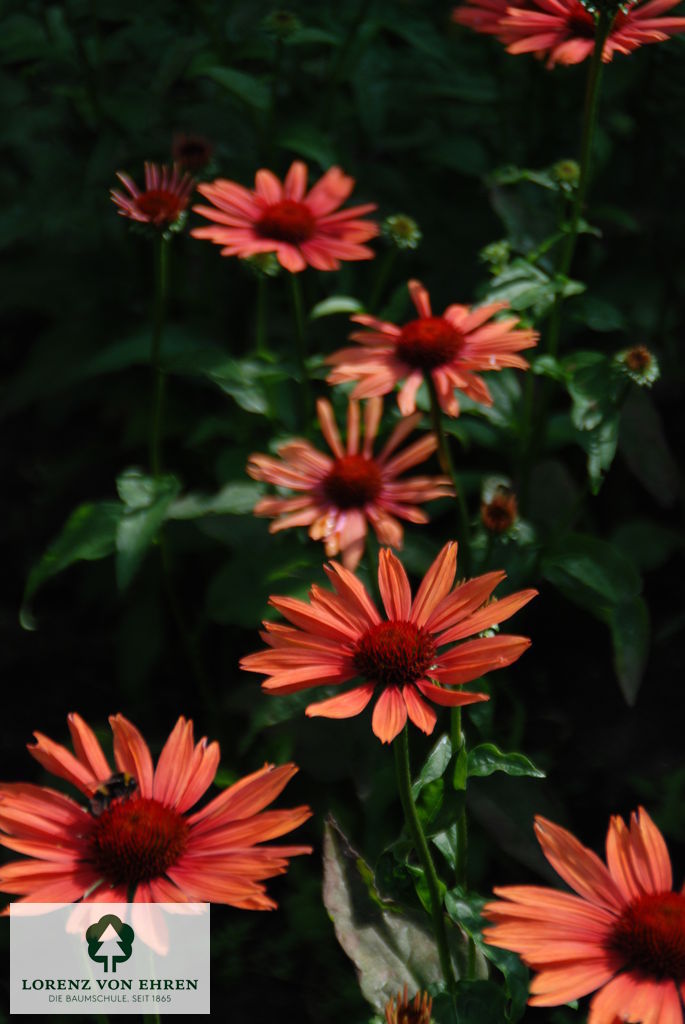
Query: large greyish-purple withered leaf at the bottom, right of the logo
<point>390,948</point>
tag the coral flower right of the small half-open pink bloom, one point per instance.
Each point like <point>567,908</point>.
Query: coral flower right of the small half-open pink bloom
<point>302,228</point>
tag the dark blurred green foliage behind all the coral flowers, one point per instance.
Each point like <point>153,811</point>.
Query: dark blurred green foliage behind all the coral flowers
<point>434,122</point>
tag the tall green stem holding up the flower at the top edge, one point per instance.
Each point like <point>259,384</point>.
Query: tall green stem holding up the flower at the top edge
<point>587,139</point>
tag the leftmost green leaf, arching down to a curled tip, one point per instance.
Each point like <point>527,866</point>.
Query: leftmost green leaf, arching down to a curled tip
<point>89,536</point>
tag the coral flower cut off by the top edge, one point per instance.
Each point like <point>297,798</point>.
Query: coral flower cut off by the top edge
<point>564,31</point>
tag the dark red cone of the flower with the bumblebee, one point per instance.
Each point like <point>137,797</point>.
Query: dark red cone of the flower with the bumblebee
<point>138,840</point>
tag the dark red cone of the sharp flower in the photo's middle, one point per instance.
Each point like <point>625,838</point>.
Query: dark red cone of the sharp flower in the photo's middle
<point>395,654</point>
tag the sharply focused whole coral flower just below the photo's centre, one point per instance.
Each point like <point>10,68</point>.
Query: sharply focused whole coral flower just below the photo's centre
<point>341,636</point>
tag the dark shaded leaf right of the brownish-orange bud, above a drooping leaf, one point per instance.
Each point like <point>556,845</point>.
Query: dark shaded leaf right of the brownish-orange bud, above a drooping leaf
<point>592,573</point>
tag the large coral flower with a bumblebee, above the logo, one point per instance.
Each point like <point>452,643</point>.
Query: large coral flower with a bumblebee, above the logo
<point>145,845</point>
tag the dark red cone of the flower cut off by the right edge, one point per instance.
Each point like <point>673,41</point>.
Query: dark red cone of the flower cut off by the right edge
<point>651,935</point>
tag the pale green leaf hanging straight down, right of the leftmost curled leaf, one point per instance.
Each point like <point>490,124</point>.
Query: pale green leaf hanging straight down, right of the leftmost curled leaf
<point>147,501</point>
